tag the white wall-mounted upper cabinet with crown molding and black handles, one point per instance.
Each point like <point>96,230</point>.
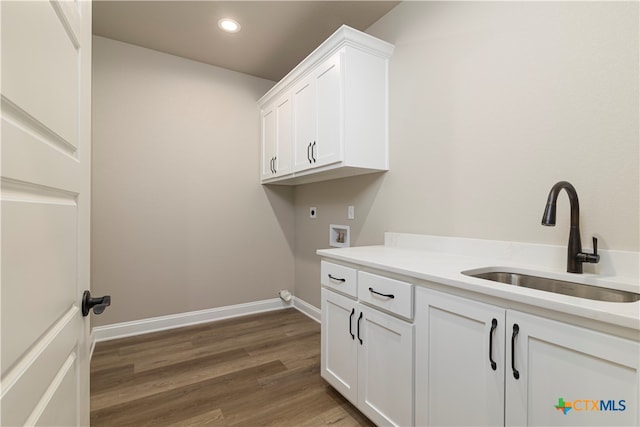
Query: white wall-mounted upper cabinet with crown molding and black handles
<point>338,113</point>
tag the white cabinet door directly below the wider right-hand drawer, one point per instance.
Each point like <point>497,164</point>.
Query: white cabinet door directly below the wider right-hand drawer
<point>385,368</point>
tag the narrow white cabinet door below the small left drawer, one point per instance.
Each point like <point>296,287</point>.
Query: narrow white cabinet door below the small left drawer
<point>339,350</point>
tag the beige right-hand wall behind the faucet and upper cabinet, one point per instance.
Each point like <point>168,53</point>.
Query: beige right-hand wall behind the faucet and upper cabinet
<point>491,103</point>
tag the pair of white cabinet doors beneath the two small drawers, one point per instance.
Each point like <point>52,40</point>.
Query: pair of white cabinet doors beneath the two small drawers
<point>367,356</point>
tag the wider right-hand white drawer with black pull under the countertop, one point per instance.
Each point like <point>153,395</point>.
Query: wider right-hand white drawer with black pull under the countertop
<point>391,295</point>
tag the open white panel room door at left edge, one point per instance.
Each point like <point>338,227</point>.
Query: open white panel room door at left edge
<point>45,204</point>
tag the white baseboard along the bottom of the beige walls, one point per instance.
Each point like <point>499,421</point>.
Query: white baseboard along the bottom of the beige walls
<point>155,324</point>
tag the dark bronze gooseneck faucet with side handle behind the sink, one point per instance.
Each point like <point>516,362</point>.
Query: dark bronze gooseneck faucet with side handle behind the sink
<point>575,256</point>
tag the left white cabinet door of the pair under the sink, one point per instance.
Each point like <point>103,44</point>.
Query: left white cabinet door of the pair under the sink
<point>460,361</point>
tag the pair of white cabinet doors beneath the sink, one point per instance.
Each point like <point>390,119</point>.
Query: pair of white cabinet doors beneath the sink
<point>479,364</point>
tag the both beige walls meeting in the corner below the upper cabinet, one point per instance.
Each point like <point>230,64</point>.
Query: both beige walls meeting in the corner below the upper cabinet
<point>490,105</point>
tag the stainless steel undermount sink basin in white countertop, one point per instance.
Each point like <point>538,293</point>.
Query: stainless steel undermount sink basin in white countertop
<point>557,286</point>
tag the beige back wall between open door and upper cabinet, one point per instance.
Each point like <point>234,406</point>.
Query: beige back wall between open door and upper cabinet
<point>180,222</point>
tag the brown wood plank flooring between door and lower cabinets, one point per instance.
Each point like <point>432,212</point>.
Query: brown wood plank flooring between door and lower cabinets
<point>258,370</point>
